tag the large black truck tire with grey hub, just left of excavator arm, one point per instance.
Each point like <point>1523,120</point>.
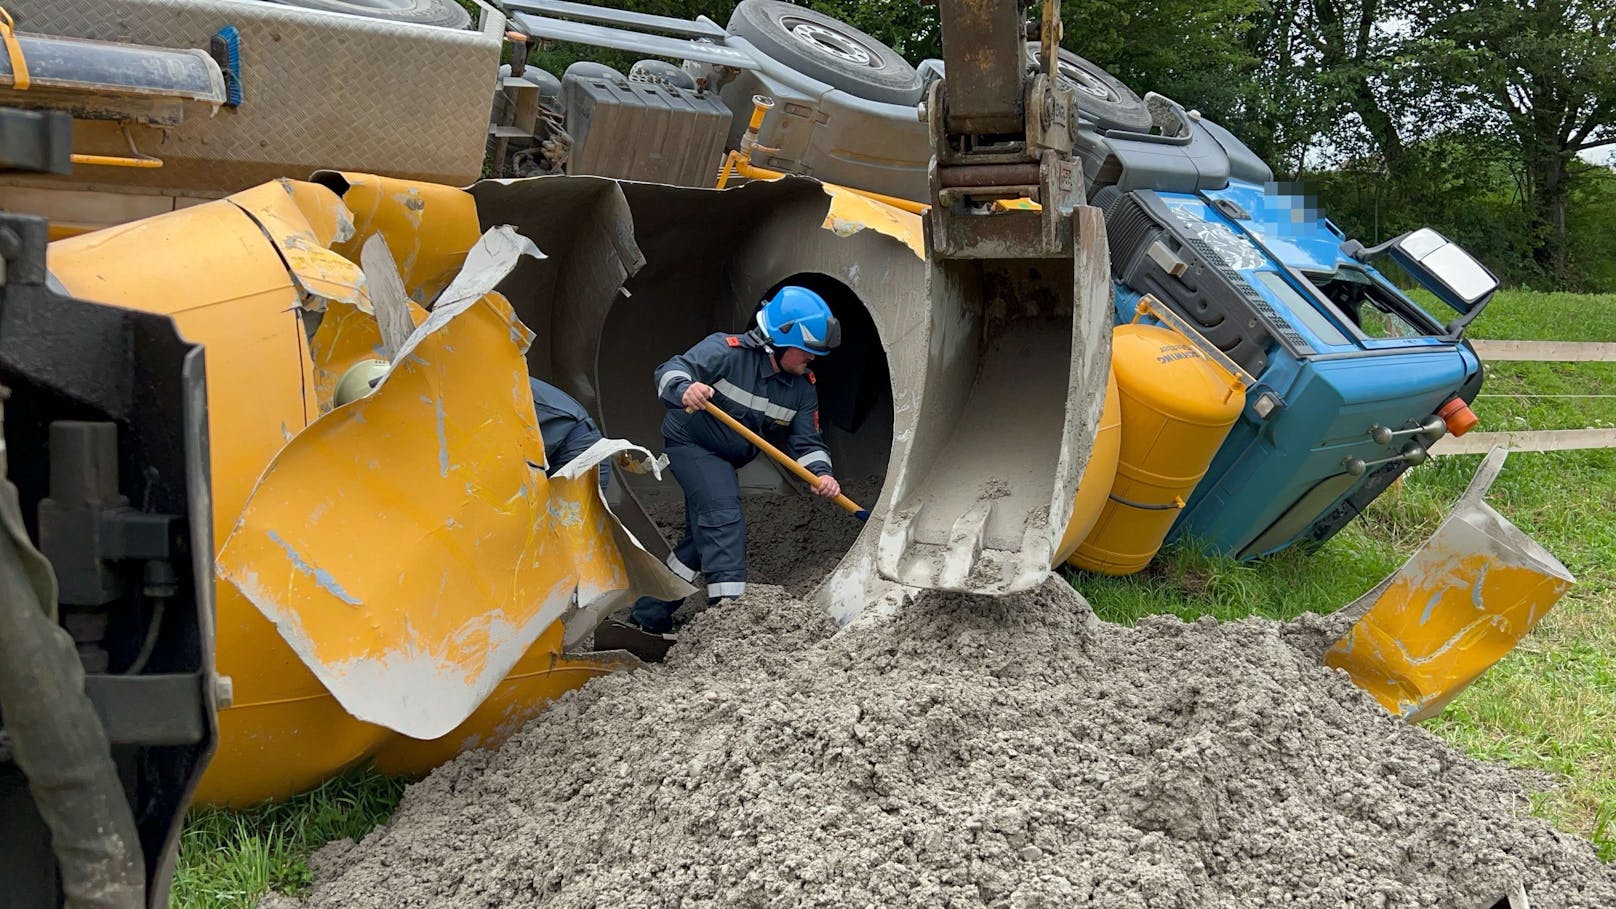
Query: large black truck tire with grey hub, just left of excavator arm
<point>833,53</point>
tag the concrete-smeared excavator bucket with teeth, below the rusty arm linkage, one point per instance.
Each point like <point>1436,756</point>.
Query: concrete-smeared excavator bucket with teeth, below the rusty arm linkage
<point>1011,402</point>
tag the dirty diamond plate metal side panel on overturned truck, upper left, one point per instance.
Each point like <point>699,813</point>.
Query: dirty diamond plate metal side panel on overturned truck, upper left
<point>322,91</point>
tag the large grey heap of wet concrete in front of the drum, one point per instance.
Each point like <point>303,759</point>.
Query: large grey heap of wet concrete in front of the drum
<point>967,753</point>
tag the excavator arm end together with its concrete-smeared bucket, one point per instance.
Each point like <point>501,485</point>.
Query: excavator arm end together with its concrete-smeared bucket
<point>1021,297</point>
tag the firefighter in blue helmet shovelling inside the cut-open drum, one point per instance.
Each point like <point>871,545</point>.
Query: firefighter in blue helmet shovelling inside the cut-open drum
<point>762,379</point>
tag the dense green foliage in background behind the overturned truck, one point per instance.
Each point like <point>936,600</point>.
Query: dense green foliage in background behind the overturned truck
<point>1468,116</point>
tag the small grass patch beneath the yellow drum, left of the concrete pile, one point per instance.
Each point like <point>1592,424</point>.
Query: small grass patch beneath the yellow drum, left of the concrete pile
<point>230,860</point>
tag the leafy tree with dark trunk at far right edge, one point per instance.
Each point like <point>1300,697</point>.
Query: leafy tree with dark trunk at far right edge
<point>1541,74</point>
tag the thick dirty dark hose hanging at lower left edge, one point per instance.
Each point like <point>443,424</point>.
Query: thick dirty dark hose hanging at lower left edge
<point>57,738</point>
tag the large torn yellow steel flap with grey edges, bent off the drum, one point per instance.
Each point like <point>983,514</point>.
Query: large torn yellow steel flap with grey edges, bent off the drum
<point>413,619</point>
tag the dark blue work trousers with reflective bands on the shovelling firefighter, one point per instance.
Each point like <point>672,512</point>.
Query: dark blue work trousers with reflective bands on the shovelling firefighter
<point>715,543</point>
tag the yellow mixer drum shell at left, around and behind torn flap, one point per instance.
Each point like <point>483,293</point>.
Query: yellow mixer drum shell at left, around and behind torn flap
<point>217,273</point>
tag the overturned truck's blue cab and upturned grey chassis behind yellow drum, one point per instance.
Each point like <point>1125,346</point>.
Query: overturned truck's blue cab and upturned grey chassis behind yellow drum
<point>1349,381</point>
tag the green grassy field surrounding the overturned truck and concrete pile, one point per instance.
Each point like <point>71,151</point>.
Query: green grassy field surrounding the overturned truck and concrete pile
<point>1547,708</point>
